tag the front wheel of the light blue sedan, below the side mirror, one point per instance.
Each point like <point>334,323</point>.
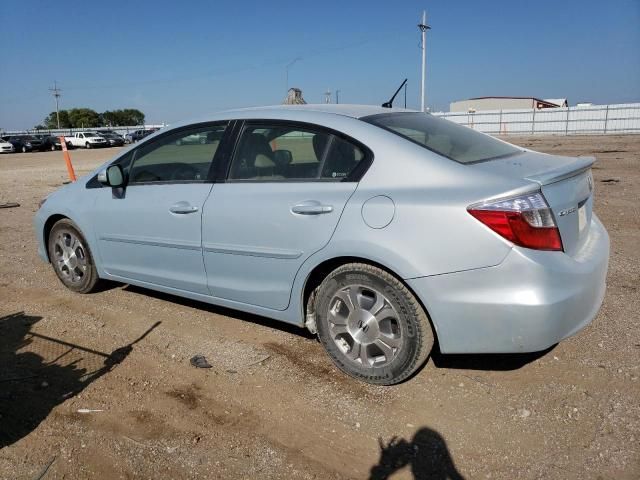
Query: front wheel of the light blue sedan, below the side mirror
<point>88,280</point>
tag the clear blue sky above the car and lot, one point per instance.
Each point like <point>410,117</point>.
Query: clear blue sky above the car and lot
<point>179,59</point>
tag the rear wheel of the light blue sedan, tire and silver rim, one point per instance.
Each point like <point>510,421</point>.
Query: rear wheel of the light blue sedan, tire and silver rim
<point>371,325</point>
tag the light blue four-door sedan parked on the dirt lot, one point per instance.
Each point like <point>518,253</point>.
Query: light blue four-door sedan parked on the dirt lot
<point>380,229</point>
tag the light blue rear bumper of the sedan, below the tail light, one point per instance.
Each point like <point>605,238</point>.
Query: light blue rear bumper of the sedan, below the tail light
<point>531,301</point>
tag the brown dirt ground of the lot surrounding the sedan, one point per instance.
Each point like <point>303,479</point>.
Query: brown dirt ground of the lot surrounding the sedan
<point>273,405</point>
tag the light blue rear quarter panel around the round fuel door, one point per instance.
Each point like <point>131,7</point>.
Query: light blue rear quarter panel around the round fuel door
<point>431,231</point>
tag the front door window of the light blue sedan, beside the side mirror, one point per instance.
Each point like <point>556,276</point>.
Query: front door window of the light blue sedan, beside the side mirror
<point>180,157</point>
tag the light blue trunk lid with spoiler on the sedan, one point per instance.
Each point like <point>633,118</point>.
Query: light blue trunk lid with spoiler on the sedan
<point>565,182</point>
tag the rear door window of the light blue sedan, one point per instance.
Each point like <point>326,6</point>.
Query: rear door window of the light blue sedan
<point>272,153</point>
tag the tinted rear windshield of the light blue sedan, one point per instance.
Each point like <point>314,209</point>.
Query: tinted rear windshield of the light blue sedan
<point>444,137</point>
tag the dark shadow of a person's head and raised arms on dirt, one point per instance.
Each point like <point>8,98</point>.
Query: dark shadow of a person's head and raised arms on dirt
<point>426,455</point>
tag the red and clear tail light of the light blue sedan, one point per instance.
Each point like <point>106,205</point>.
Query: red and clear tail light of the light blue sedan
<point>525,220</point>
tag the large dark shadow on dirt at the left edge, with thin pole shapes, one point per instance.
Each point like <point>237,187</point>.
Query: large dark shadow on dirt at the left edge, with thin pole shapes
<point>39,372</point>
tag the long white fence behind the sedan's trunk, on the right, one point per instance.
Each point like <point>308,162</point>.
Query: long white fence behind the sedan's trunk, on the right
<point>595,119</point>
